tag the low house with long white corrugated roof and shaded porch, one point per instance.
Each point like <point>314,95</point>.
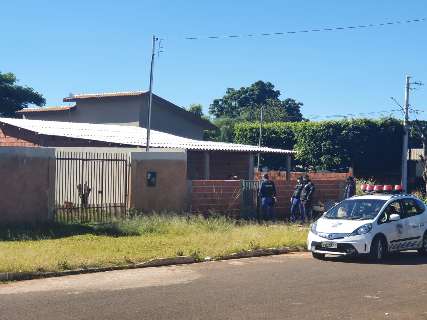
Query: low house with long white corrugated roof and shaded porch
<point>206,160</point>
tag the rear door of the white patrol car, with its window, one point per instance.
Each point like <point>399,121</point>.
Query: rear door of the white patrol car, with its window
<point>412,213</point>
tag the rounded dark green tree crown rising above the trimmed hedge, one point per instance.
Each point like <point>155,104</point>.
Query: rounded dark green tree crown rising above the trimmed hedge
<point>245,104</point>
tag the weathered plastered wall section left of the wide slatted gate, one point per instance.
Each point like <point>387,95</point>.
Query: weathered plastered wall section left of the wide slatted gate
<point>27,191</point>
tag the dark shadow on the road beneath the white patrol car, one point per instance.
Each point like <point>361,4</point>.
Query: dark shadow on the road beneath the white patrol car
<point>399,259</point>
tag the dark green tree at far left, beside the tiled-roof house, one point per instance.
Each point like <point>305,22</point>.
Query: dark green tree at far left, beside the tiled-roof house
<point>14,97</point>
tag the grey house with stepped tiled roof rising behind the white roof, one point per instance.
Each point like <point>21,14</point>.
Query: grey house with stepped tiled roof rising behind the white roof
<point>124,108</point>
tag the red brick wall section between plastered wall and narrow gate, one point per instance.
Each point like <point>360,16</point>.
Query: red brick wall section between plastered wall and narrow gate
<point>220,196</point>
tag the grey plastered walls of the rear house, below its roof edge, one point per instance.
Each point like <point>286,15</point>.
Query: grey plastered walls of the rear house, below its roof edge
<point>129,111</point>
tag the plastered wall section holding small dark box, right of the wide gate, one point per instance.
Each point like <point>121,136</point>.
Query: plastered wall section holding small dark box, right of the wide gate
<point>170,191</point>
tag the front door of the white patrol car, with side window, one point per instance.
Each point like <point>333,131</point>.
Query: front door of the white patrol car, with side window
<point>394,231</point>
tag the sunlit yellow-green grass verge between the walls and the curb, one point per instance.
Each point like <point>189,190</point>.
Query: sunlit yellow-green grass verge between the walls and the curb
<point>62,247</point>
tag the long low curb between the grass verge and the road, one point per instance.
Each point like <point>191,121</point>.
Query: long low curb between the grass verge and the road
<point>161,262</point>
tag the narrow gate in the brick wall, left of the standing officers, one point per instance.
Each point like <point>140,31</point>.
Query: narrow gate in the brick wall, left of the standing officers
<point>249,199</point>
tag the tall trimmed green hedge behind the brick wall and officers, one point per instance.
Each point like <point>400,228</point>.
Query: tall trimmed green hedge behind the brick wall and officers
<point>366,145</point>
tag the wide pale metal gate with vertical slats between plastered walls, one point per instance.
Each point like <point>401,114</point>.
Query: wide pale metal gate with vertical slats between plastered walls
<point>91,186</point>
